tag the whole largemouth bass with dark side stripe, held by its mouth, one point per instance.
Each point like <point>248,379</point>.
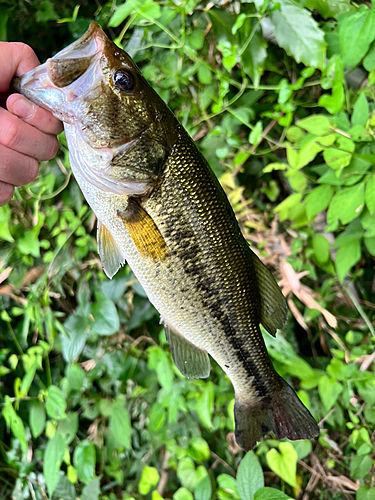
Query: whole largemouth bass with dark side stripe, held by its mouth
<point>161,209</point>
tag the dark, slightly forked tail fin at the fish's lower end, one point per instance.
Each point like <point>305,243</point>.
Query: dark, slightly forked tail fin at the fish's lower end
<point>282,413</point>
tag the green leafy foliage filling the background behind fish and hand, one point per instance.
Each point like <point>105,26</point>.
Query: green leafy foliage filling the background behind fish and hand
<point>280,98</point>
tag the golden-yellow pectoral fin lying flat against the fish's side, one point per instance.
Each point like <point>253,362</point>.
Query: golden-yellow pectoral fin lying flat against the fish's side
<point>144,232</point>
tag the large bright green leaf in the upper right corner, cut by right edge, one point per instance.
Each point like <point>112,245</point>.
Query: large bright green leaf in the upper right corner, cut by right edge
<point>356,32</point>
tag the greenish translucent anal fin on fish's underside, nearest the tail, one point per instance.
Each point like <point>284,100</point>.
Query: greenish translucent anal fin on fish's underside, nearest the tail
<point>192,361</point>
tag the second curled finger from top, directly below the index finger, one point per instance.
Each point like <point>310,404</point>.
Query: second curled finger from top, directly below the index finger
<point>22,137</point>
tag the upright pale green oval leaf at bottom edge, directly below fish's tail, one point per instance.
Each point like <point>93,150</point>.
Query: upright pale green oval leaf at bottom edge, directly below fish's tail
<point>249,476</point>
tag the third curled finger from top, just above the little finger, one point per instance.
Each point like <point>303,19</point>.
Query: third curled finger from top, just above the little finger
<point>16,168</point>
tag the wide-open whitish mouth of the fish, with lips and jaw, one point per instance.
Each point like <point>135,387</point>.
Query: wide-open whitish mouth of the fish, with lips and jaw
<point>56,84</point>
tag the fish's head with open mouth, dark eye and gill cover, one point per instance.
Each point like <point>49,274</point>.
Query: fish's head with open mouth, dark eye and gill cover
<point>116,124</point>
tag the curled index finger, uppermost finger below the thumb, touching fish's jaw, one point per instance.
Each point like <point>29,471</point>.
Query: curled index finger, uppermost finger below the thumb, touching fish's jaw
<point>34,115</point>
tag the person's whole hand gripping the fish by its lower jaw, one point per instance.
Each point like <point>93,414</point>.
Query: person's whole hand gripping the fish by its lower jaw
<point>27,132</point>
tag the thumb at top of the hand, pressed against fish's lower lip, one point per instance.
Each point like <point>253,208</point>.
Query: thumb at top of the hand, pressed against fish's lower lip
<point>15,59</point>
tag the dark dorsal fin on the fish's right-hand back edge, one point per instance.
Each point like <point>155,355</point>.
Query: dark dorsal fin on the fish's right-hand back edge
<point>273,308</point>
